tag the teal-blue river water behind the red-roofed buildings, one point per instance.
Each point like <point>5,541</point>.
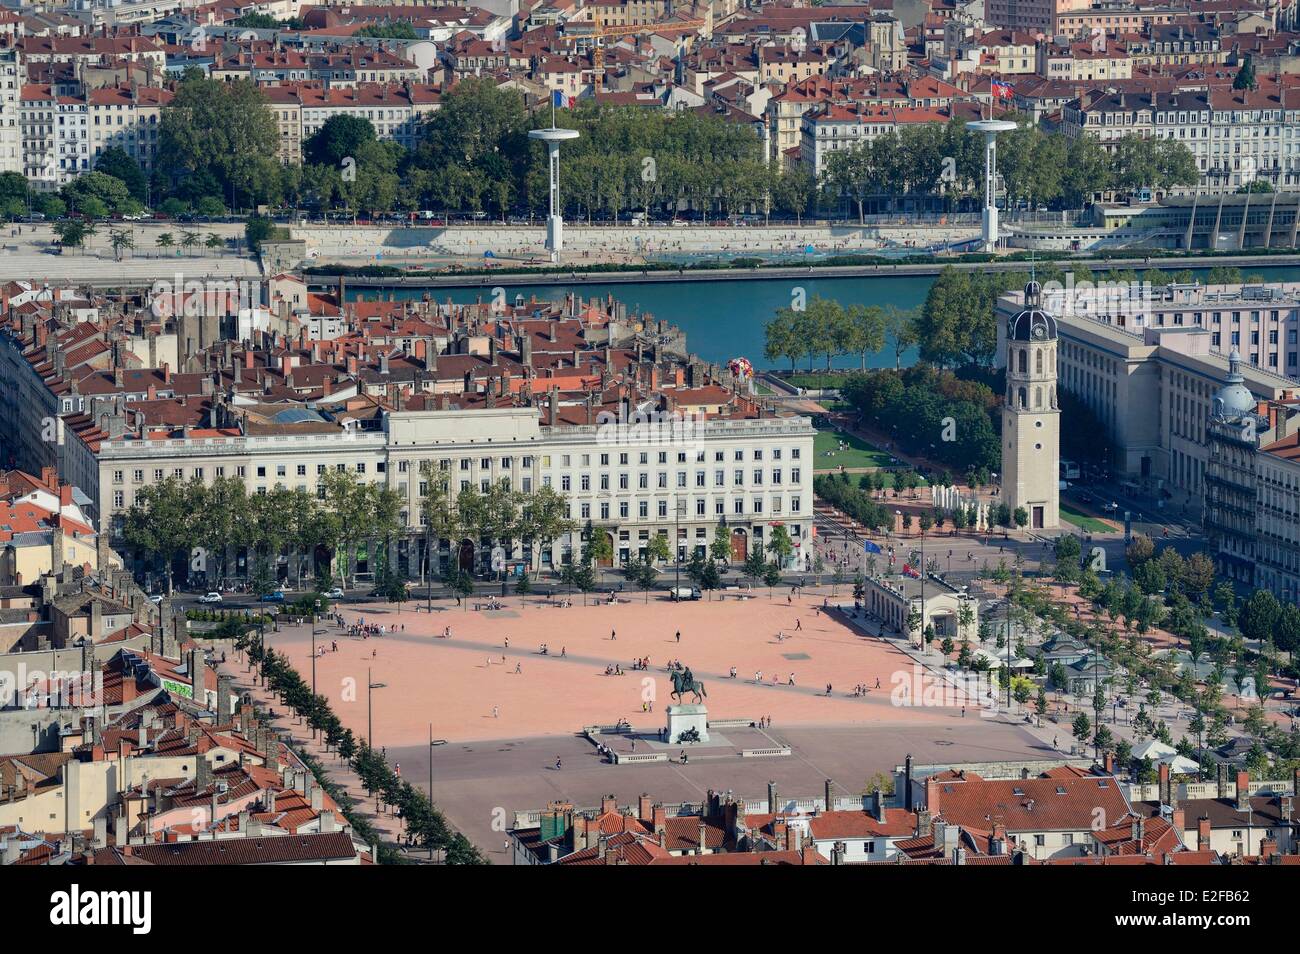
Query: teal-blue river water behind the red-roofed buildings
<point>726,320</point>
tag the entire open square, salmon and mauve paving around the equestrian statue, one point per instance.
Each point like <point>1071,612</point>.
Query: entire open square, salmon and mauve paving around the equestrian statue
<point>508,714</point>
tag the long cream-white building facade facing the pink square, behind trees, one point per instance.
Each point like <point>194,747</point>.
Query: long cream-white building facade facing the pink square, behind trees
<point>748,475</point>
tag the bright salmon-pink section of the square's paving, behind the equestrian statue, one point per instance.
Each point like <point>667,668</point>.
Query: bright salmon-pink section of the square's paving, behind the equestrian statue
<point>491,680</point>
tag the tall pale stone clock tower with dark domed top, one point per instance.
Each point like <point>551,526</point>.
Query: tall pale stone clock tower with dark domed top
<point>1032,419</point>
